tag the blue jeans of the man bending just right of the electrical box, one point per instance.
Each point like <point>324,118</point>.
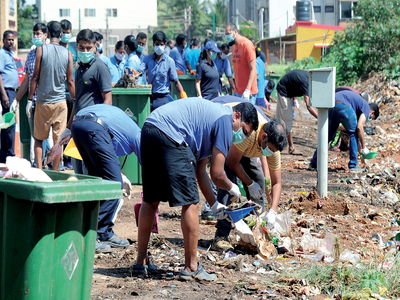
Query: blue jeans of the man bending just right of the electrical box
<point>347,116</point>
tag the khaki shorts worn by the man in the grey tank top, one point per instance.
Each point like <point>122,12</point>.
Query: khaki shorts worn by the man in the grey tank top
<point>50,115</point>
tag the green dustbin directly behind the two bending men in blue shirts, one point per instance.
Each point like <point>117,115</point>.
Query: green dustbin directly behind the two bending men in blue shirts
<point>138,101</point>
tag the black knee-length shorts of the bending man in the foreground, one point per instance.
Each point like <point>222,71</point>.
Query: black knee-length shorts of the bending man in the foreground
<point>168,169</point>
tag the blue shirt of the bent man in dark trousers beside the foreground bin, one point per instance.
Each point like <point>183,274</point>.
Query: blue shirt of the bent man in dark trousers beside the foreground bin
<point>126,133</point>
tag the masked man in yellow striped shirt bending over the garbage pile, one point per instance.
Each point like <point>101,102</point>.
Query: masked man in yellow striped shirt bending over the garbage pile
<point>266,143</point>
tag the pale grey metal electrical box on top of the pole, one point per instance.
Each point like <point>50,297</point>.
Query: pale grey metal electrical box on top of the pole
<point>322,87</point>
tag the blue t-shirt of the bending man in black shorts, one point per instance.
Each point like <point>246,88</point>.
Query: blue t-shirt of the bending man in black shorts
<point>200,124</point>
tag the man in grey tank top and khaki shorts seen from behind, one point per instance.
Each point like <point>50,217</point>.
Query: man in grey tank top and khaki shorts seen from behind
<point>53,68</point>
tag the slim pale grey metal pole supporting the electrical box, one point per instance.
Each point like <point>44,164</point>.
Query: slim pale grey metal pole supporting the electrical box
<point>322,164</point>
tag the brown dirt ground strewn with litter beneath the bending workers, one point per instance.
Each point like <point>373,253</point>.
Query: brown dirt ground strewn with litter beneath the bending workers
<point>354,210</point>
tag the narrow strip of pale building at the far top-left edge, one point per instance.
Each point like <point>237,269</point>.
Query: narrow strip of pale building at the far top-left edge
<point>8,20</point>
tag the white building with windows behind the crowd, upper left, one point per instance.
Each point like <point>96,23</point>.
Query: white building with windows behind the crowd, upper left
<point>113,19</point>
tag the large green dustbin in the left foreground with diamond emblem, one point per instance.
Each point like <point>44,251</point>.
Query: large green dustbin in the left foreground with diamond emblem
<point>48,235</point>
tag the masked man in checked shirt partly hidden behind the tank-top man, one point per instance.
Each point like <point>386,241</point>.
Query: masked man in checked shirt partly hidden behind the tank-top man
<point>39,37</point>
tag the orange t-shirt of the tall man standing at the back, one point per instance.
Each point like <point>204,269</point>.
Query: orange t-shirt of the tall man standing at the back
<point>242,54</point>
